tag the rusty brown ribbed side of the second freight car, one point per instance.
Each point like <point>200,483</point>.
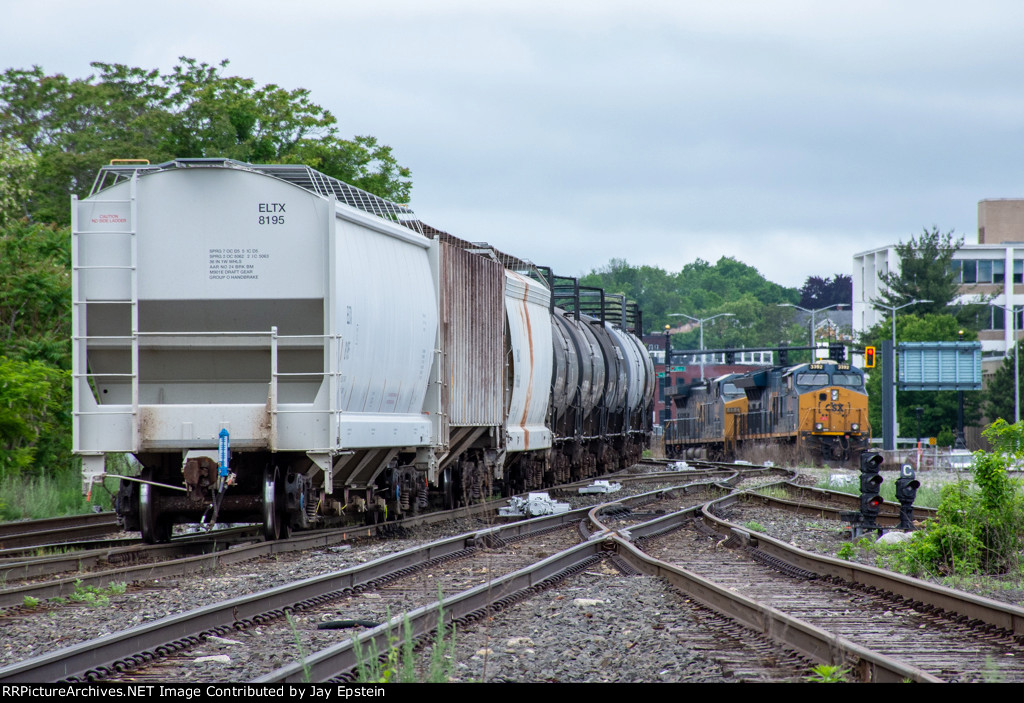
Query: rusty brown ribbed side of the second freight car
<point>474,337</point>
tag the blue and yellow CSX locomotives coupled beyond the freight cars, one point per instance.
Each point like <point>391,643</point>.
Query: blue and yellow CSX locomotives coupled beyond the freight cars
<point>820,408</point>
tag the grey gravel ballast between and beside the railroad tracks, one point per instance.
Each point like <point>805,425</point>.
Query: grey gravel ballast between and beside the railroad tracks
<point>598,628</point>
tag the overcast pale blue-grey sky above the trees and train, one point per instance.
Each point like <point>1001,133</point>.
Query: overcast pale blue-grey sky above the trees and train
<point>788,135</point>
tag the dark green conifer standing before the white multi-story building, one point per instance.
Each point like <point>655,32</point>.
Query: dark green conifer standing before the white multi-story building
<point>926,273</point>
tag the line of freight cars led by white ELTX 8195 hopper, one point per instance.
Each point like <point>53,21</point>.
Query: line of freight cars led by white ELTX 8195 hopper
<point>278,347</point>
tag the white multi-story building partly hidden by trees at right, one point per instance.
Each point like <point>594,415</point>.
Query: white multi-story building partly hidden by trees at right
<point>991,272</point>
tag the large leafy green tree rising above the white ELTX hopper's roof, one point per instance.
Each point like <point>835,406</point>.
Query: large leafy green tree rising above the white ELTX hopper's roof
<point>74,126</point>
